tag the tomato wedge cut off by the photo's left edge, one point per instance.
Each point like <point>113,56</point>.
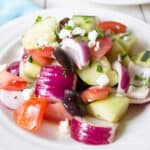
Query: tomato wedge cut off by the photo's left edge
<point>9,81</point>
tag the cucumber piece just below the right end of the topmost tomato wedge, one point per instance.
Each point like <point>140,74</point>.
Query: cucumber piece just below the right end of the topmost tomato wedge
<point>127,40</point>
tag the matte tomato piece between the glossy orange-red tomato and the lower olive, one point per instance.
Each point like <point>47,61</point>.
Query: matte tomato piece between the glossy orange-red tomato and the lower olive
<point>56,112</point>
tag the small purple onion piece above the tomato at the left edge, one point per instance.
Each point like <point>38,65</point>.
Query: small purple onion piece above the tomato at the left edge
<point>13,68</point>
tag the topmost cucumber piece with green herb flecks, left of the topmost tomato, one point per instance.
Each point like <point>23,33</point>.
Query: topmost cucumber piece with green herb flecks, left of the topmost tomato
<point>85,22</point>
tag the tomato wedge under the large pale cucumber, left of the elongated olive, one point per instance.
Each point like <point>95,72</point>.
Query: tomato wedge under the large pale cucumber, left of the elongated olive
<point>42,56</point>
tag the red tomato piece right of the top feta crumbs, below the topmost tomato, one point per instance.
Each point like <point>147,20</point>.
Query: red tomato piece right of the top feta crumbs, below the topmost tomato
<point>105,45</point>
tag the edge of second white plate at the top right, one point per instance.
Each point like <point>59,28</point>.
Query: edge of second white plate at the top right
<point>121,2</point>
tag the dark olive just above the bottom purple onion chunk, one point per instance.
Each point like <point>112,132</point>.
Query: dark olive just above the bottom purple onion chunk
<point>73,103</point>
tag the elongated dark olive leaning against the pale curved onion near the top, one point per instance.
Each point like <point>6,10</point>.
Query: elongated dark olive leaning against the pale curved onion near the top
<point>63,59</point>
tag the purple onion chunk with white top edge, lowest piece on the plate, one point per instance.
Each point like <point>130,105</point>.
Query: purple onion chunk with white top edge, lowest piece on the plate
<point>92,131</point>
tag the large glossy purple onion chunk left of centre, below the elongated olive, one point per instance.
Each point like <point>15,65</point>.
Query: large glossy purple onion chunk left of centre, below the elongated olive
<point>53,81</point>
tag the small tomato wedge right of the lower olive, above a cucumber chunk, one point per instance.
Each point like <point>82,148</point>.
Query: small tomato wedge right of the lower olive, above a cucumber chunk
<point>95,93</point>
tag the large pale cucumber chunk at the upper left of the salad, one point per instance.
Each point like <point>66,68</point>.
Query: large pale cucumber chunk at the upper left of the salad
<point>40,34</point>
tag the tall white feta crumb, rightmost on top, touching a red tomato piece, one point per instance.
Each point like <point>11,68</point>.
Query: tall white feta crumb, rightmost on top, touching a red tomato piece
<point>92,36</point>
